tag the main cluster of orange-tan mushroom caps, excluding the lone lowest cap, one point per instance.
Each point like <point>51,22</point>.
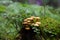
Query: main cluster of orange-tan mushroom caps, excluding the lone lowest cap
<point>32,21</point>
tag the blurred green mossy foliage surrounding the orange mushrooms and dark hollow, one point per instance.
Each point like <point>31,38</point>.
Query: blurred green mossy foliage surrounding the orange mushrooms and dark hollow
<point>11,19</point>
